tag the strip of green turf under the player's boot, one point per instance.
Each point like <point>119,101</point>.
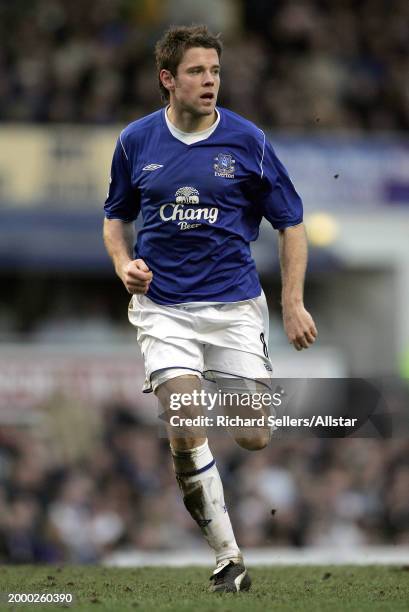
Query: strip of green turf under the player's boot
<point>346,588</point>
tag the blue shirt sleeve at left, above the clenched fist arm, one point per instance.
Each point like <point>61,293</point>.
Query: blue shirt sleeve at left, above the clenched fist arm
<point>122,200</point>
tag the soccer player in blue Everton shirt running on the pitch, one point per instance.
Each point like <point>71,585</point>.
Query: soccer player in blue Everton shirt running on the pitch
<point>202,178</point>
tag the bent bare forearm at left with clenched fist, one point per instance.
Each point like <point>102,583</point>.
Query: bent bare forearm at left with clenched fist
<point>119,239</point>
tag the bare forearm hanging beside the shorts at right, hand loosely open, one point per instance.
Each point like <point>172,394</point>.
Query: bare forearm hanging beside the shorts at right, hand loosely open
<point>298,323</point>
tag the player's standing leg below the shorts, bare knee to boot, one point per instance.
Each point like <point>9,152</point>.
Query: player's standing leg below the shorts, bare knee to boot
<point>201,486</point>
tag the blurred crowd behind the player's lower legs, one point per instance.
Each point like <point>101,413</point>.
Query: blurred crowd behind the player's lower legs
<point>110,486</point>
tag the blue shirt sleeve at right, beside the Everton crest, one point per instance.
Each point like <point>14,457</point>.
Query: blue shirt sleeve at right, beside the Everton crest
<point>279,202</point>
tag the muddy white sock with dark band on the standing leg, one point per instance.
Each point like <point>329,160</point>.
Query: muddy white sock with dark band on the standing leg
<point>202,490</point>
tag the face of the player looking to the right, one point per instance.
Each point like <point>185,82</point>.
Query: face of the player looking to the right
<point>196,84</point>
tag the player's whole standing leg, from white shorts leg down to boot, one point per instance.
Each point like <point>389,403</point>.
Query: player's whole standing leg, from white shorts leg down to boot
<point>170,350</point>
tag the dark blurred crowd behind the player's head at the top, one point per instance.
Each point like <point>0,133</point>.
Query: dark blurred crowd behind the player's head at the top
<point>303,64</point>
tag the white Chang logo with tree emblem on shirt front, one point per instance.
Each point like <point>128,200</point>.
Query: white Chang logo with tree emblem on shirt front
<point>185,208</point>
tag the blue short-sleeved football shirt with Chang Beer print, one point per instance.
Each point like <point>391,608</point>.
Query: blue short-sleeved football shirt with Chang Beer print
<point>201,205</point>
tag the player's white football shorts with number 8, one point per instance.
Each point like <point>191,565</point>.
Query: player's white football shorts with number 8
<point>229,339</point>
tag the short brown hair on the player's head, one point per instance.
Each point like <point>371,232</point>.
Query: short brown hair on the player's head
<point>169,50</point>
